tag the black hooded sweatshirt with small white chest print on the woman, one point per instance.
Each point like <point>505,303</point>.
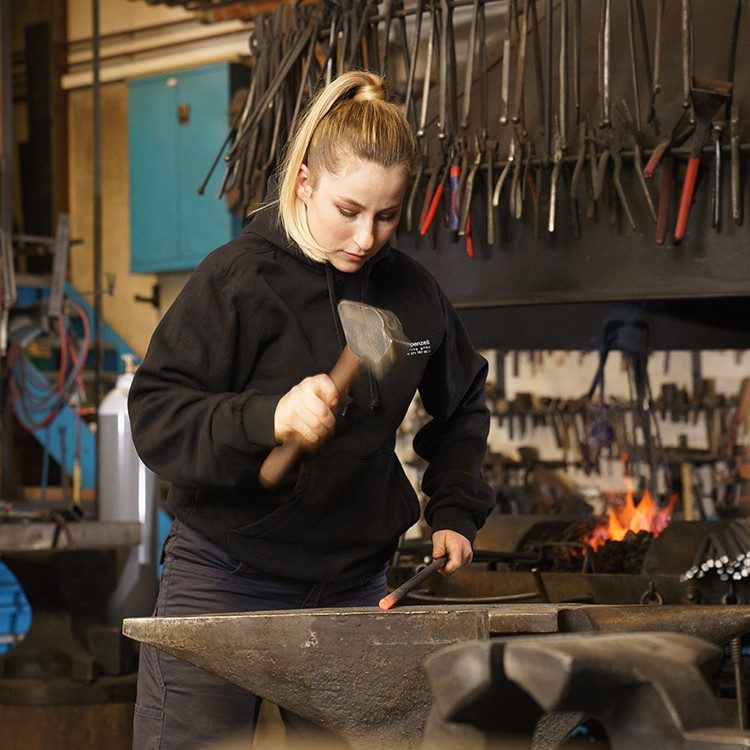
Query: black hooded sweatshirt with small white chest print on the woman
<point>256,318</point>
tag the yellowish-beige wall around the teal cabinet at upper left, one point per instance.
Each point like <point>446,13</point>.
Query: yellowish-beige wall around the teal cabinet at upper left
<point>134,321</point>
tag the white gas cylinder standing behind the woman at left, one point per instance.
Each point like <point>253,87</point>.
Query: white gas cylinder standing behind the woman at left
<point>127,492</point>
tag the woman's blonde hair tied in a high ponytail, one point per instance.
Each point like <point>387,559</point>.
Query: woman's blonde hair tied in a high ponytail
<point>351,117</point>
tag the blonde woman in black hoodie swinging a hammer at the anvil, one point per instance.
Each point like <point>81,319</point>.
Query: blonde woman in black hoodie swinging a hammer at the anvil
<point>237,366</point>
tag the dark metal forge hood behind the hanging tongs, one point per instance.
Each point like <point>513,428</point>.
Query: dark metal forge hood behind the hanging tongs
<point>609,261</point>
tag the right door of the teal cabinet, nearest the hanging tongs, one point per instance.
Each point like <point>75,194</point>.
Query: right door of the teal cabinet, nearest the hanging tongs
<point>204,220</point>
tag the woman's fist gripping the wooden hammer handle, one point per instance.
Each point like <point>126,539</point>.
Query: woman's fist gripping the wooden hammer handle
<point>306,411</point>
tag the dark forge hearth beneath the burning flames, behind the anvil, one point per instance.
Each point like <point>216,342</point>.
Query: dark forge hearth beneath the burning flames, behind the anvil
<point>546,559</point>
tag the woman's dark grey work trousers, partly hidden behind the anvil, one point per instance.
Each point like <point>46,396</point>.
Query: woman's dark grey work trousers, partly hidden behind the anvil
<point>178,705</point>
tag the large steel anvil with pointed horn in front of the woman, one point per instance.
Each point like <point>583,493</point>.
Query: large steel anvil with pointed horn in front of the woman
<point>358,671</point>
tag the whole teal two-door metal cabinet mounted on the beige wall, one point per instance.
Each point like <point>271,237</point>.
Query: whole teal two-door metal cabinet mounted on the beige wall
<point>176,123</point>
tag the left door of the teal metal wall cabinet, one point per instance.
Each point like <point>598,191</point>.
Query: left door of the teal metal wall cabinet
<point>154,172</point>
